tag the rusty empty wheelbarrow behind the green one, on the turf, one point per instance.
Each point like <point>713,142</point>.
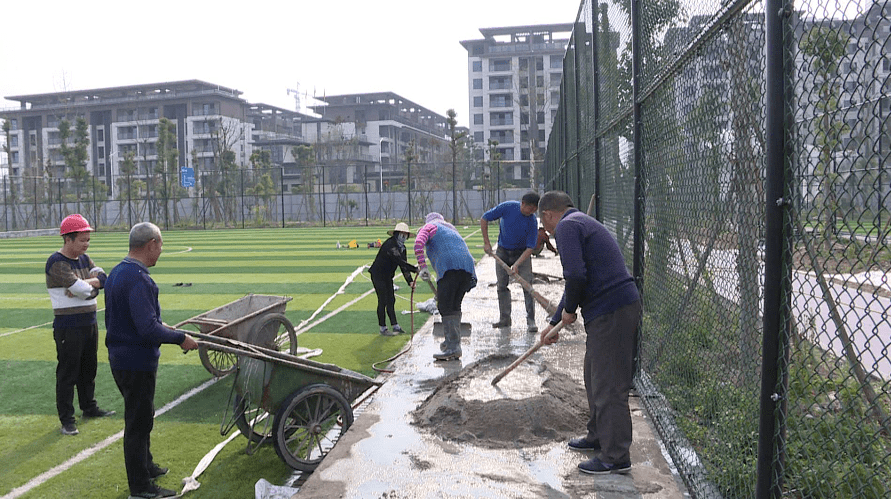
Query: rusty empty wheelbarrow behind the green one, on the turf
<point>255,319</point>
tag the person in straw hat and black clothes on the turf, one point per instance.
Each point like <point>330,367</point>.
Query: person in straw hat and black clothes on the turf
<point>390,256</point>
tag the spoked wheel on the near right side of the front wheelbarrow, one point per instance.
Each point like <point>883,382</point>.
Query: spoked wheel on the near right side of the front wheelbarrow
<point>308,424</point>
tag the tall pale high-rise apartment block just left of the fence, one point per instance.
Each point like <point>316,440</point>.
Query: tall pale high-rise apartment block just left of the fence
<point>513,77</point>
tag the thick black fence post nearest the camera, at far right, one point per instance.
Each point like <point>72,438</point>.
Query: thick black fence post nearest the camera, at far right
<point>771,448</point>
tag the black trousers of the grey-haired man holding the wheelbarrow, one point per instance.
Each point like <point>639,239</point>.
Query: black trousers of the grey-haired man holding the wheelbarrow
<point>138,390</point>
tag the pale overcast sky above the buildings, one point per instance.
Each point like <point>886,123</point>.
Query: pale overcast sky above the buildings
<point>259,47</point>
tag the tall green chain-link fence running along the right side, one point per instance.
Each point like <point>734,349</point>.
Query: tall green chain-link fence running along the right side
<point>738,151</point>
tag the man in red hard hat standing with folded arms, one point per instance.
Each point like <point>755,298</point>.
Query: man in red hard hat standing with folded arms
<point>73,282</point>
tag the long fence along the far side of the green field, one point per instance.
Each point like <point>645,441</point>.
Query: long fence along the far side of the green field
<point>271,197</point>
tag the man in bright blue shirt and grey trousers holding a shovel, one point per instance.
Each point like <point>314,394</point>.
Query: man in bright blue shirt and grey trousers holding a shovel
<point>517,237</point>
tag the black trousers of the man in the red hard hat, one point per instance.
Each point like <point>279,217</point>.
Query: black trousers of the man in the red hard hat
<point>76,350</point>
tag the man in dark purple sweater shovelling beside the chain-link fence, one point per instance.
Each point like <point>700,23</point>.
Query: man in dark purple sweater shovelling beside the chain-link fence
<point>598,282</point>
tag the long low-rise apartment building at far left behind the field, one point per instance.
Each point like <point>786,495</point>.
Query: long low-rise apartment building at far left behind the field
<point>124,122</point>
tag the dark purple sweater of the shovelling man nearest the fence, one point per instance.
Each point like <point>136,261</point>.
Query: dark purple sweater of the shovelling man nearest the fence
<point>597,279</point>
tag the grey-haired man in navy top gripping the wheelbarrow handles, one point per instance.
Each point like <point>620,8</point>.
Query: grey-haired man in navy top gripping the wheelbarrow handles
<point>133,337</point>
